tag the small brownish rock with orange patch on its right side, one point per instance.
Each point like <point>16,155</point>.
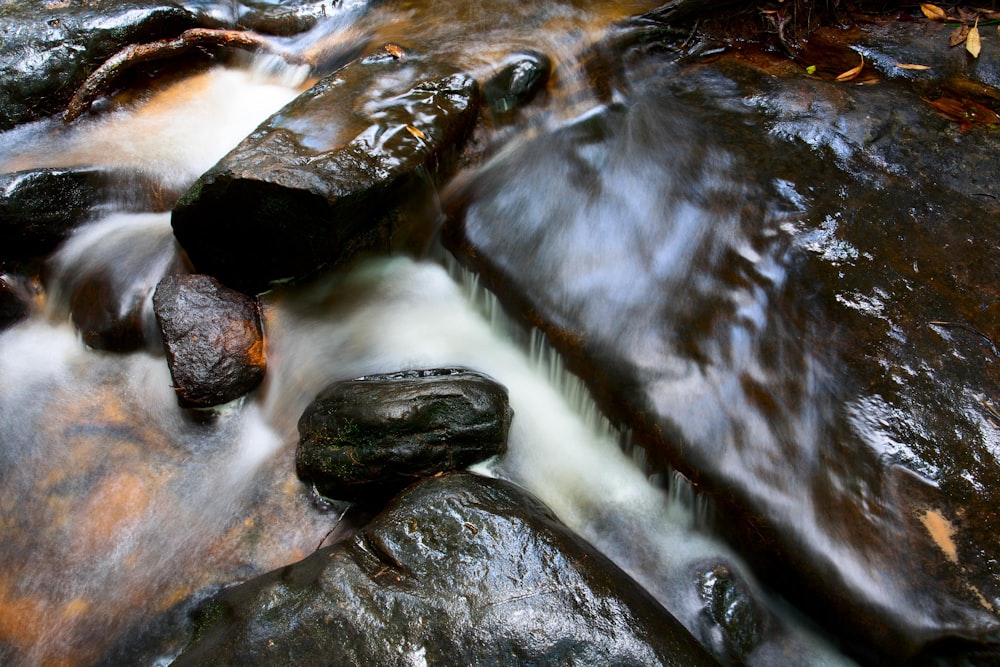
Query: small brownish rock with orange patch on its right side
<point>213,339</point>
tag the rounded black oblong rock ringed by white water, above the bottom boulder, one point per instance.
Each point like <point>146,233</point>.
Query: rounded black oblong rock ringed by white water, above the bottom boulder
<point>378,433</point>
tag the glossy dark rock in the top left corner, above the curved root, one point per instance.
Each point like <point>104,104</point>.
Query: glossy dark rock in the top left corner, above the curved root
<point>48,49</point>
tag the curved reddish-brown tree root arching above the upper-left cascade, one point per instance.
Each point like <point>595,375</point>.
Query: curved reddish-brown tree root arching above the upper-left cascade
<point>101,79</point>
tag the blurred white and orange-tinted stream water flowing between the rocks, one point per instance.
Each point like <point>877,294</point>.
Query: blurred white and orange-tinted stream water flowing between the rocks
<point>118,505</point>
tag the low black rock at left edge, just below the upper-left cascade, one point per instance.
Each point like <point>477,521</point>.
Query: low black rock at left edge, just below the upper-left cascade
<point>39,208</point>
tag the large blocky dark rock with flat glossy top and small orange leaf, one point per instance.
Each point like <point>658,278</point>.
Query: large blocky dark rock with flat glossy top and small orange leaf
<point>322,178</point>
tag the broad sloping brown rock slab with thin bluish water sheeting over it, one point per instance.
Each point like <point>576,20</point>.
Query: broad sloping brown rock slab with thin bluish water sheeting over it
<point>771,335</point>
